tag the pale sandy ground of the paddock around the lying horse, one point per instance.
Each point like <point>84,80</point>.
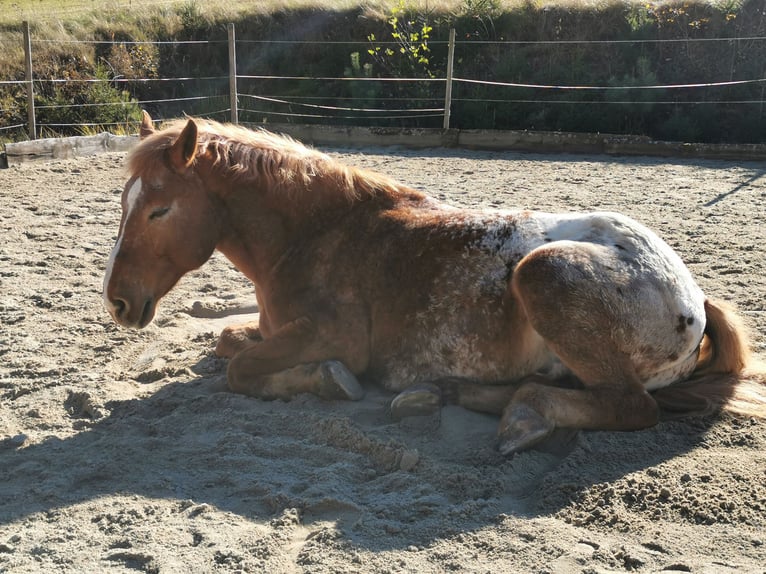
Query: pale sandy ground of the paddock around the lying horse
<point>121,451</point>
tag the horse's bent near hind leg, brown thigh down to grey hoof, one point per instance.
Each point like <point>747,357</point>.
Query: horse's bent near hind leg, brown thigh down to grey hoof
<point>572,295</point>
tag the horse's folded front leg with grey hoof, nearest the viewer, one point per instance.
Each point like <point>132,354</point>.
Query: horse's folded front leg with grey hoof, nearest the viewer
<point>290,363</point>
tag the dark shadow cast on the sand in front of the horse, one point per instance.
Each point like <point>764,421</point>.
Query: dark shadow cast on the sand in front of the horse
<point>347,463</point>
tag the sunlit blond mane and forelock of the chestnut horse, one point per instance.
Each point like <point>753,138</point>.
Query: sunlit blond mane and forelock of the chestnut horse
<point>259,155</point>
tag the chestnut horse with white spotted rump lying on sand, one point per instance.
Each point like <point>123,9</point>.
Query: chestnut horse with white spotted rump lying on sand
<point>550,320</point>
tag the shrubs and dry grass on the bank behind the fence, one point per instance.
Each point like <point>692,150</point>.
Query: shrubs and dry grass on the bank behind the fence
<point>684,71</point>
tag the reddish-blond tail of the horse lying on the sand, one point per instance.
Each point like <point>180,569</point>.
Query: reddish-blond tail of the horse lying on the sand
<point>726,377</point>
